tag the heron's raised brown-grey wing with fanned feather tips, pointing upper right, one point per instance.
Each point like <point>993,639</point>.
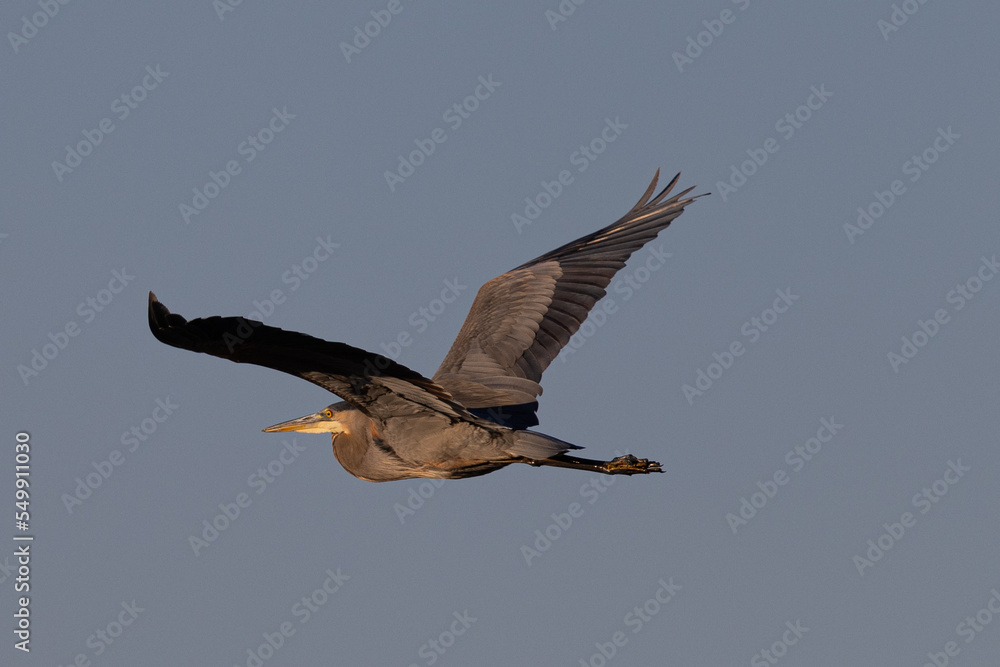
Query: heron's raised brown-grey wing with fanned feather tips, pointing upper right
<point>520,320</point>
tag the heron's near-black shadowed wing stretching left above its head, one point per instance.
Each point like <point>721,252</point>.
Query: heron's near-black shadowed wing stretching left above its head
<point>377,386</point>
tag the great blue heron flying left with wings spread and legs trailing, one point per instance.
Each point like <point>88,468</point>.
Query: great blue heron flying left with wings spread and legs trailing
<point>472,417</point>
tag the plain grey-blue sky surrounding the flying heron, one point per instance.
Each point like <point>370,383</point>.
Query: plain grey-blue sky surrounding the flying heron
<point>794,116</point>
